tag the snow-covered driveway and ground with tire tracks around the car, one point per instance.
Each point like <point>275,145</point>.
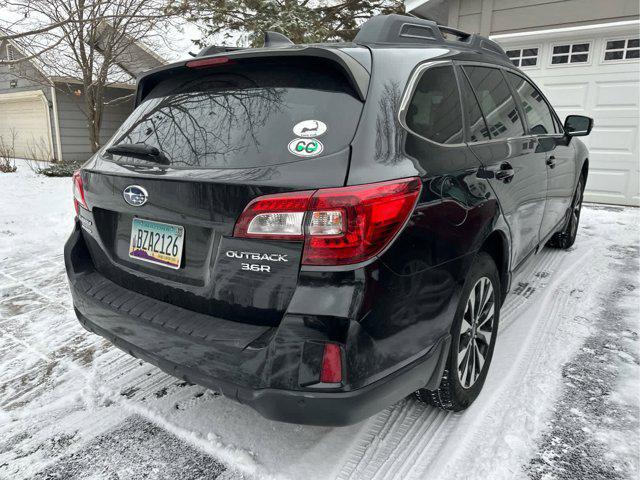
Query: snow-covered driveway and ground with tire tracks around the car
<point>561,399</point>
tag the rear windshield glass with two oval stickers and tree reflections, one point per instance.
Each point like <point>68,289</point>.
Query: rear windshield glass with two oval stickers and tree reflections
<point>249,114</point>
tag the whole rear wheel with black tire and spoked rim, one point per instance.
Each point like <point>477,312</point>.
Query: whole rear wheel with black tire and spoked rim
<point>475,335</point>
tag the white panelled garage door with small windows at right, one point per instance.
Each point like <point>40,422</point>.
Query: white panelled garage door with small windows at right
<point>594,72</point>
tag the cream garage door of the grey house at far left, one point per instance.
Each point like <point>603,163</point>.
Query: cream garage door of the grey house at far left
<point>24,121</point>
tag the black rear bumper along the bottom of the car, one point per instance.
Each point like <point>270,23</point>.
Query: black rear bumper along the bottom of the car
<point>236,359</point>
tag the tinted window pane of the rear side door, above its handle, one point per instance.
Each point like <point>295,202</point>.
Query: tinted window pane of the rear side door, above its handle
<point>496,102</point>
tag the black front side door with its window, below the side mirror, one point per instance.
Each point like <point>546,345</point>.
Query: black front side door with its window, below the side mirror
<point>559,155</point>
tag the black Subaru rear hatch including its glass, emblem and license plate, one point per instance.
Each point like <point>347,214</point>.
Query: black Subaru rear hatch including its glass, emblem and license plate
<point>227,133</point>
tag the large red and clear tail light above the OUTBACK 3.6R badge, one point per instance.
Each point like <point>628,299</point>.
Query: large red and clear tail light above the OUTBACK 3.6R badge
<point>339,226</point>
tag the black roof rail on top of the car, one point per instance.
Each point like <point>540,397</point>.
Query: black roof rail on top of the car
<point>403,29</point>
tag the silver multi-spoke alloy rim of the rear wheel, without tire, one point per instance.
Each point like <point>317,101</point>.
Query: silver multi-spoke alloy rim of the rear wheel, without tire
<point>476,331</point>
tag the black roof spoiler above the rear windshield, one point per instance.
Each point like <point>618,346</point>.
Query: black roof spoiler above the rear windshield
<point>356,74</point>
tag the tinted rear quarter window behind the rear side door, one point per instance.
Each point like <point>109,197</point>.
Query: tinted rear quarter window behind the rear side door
<point>434,110</point>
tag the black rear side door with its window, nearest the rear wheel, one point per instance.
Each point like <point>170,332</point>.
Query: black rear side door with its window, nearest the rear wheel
<point>512,163</point>
